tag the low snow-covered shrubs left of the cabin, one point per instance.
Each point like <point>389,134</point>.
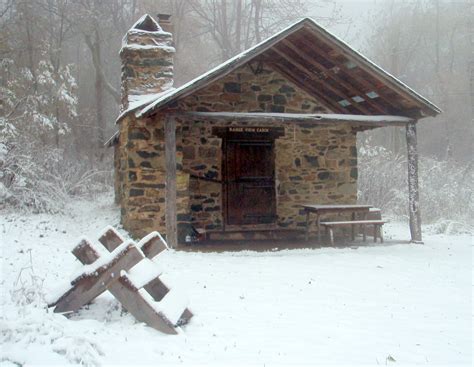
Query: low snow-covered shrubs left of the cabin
<point>43,180</point>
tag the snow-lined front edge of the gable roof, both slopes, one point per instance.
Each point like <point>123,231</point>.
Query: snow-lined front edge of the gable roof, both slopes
<point>243,57</point>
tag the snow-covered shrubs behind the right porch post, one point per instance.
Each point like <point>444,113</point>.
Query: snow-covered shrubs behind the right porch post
<point>446,187</point>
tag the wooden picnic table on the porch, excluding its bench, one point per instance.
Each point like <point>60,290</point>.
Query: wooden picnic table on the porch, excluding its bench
<point>320,210</point>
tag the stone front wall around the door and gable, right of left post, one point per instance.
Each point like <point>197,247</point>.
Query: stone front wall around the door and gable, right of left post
<point>314,164</point>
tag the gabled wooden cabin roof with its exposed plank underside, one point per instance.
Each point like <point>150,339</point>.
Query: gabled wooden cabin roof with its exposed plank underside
<point>322,65</point>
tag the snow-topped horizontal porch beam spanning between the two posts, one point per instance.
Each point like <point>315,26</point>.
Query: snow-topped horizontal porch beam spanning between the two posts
<point>356,120</point>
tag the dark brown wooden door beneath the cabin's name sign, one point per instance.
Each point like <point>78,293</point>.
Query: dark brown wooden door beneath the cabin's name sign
<point>249,182</point>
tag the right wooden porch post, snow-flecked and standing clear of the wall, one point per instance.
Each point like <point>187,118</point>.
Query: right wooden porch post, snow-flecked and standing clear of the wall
<point>413,194</point>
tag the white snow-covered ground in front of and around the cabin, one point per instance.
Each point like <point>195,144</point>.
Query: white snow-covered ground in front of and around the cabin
<point>396,304</point>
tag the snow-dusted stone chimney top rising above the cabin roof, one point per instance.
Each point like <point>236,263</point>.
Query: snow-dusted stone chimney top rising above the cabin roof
<point>147,61</point>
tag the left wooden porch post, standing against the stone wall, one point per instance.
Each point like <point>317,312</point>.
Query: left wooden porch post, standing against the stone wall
<point>170,190</point>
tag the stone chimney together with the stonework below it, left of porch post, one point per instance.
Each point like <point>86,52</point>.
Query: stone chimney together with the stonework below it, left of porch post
<point>147,68</point>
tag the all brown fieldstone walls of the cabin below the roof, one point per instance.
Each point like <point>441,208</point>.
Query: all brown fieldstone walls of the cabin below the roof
<point>313,164</point>
